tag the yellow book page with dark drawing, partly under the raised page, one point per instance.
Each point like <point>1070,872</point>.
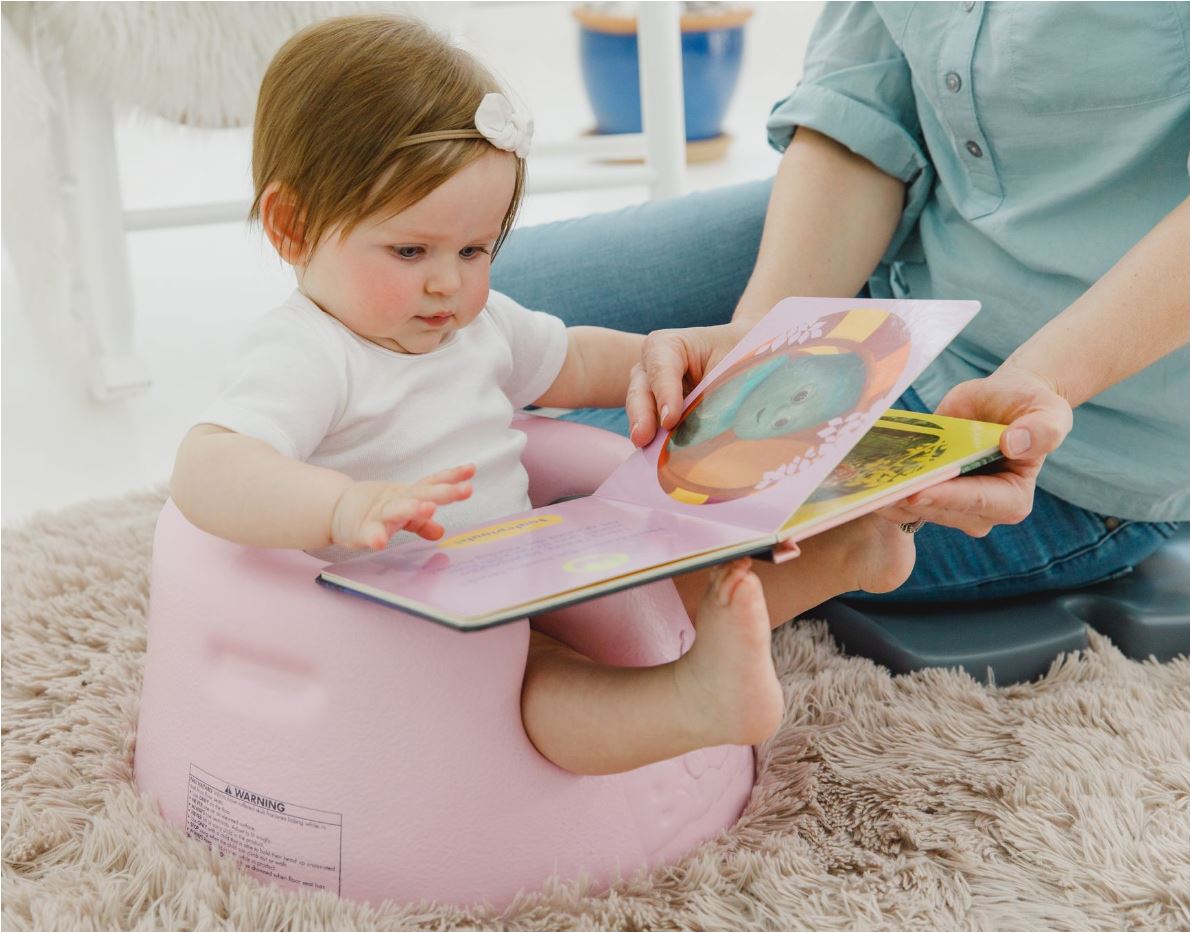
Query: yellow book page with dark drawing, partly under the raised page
<point>901,450</point>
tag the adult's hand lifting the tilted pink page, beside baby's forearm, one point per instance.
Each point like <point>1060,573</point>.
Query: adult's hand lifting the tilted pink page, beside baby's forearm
<point>672,363</point>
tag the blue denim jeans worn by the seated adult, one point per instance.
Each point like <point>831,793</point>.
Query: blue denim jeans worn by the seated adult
<point>685,263</point>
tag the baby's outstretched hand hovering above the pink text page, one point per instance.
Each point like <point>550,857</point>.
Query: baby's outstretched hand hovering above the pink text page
<point>370,514</point>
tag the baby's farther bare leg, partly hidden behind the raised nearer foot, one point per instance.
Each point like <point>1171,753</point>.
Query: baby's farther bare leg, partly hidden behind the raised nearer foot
<point>870,553</point>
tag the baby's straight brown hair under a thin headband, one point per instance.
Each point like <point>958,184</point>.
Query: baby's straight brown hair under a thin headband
<point>338,105</point>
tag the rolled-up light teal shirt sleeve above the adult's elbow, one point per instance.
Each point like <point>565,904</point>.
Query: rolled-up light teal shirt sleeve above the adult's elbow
<point>857,90</point>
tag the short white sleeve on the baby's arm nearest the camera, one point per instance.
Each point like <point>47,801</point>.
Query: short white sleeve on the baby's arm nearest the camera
<point>285,385</point>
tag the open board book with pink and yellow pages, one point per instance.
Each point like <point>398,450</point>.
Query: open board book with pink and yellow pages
<point>789,436</point>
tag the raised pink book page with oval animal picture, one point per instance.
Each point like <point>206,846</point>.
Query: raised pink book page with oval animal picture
<point>769,425</point>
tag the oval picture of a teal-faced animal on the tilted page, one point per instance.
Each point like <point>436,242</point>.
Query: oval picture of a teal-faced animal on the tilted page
<point>770,410</point>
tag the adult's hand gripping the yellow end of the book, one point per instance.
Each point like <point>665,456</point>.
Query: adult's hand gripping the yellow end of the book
<point>1038,420</point>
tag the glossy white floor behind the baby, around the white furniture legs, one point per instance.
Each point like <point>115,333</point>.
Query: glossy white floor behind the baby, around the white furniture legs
<point>196,288</point>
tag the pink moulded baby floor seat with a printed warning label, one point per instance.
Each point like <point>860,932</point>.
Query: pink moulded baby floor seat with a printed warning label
<point>332,743</point>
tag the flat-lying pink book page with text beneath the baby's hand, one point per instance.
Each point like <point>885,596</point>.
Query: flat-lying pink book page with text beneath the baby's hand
<point>534,556</point>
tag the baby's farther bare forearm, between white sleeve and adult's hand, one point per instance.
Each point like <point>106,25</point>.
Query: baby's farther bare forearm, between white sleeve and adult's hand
<point>596,372</point>
